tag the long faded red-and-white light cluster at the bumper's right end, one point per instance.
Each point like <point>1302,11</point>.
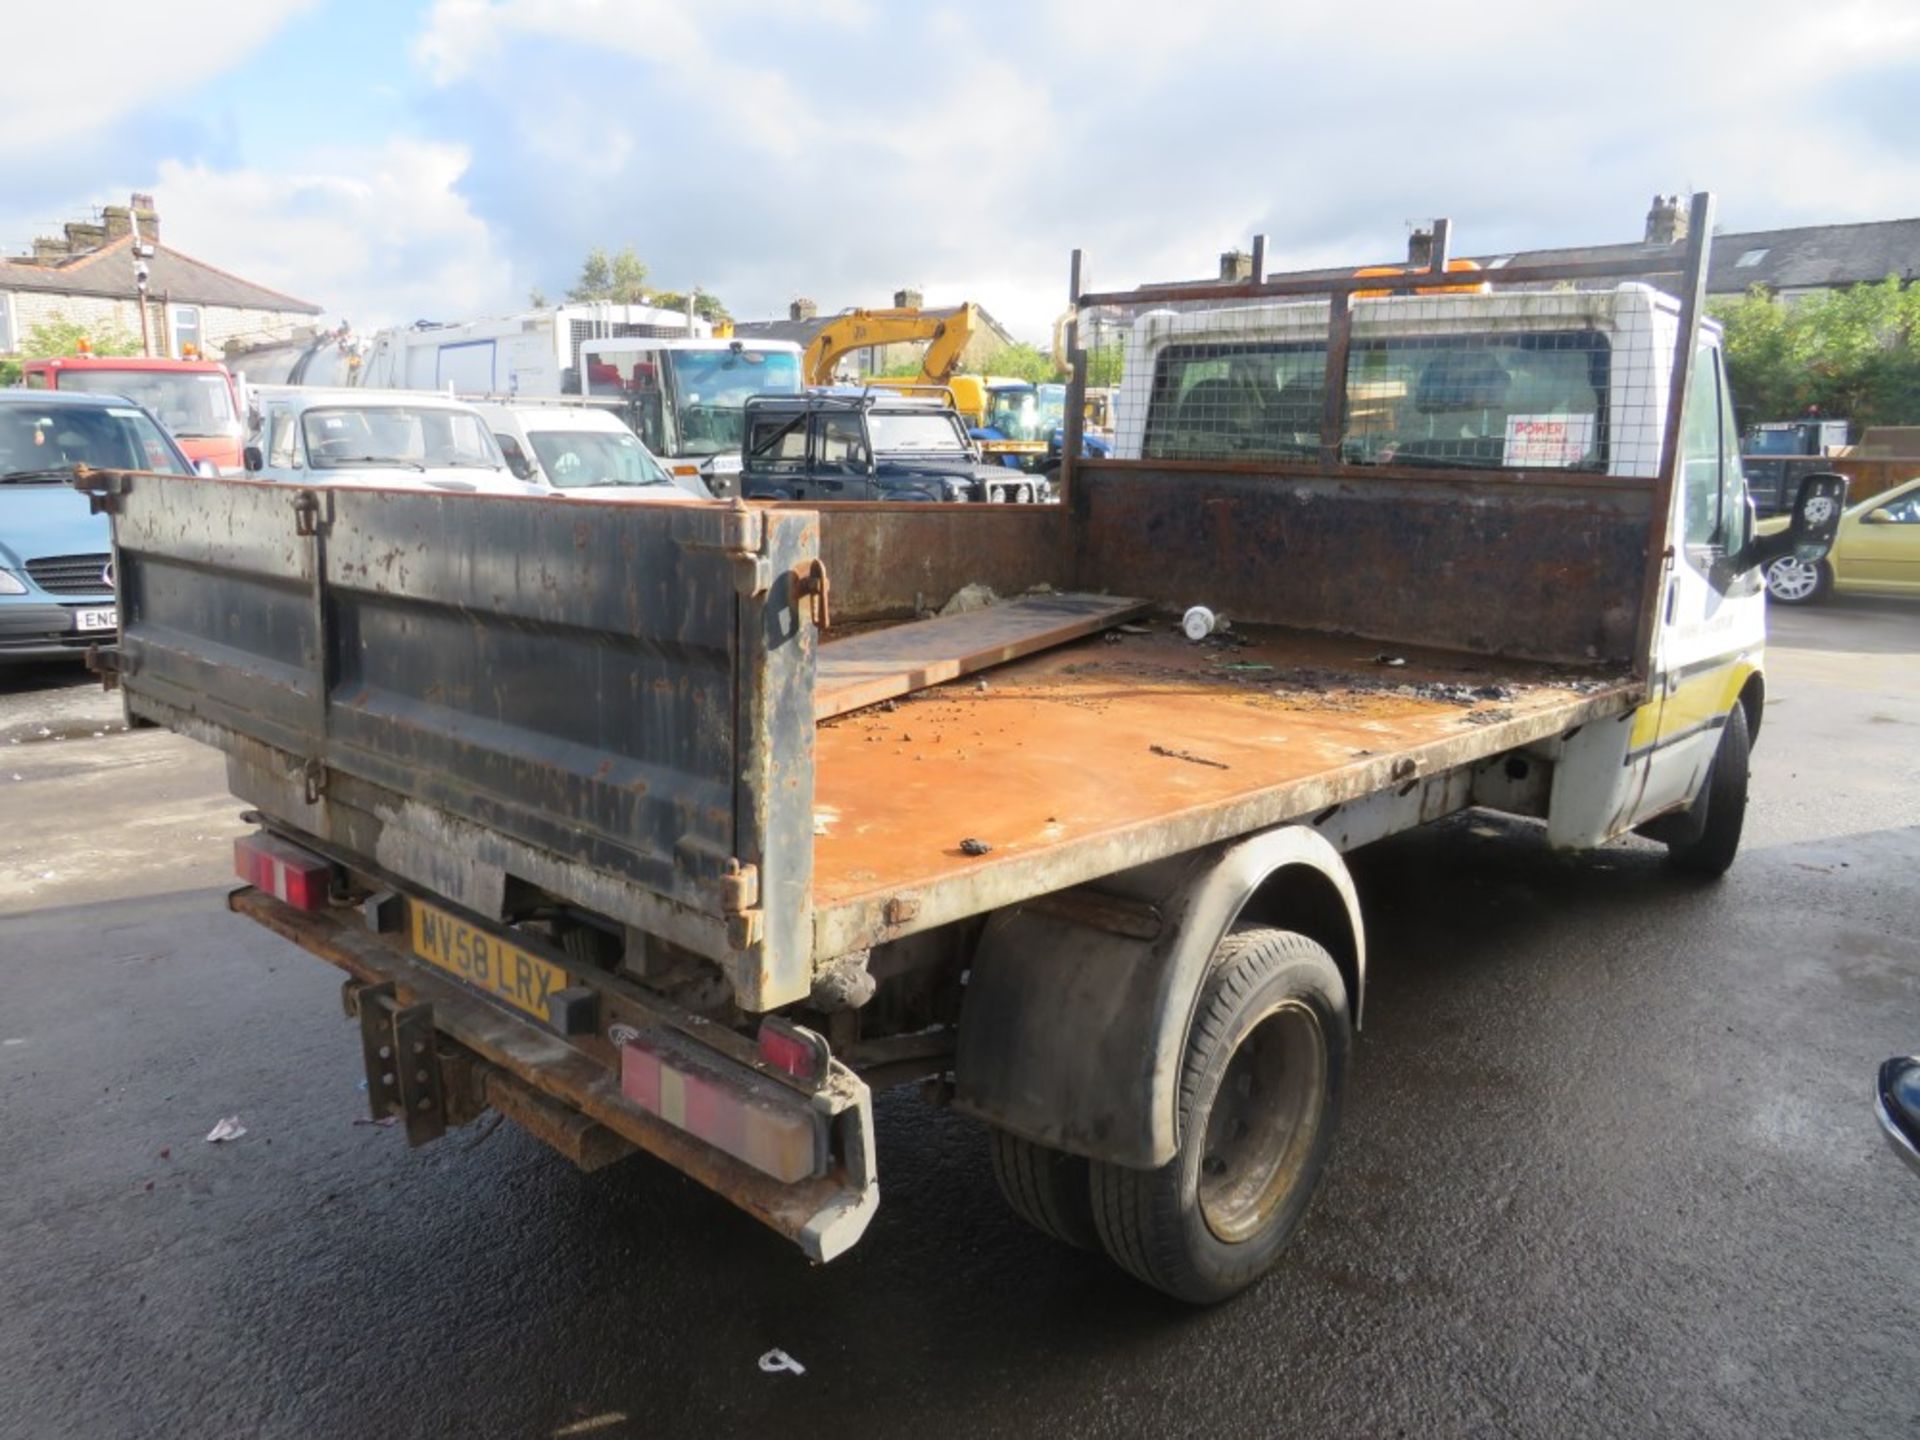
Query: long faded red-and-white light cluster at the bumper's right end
<point>748,1116</point>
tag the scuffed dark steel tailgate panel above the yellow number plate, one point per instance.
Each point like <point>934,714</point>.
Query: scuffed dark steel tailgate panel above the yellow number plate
<point>500,700</point>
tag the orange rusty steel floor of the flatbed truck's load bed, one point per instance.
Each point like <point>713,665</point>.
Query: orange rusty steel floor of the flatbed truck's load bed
<point>1124,748</point>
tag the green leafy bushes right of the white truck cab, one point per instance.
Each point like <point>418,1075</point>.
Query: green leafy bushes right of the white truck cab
<point>1852,354</point>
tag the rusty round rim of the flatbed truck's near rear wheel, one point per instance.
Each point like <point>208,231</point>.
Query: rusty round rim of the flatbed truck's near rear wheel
<point>1262,1122</point>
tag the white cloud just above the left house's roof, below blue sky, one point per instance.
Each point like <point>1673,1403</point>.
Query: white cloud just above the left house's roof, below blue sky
<point>377,235</point>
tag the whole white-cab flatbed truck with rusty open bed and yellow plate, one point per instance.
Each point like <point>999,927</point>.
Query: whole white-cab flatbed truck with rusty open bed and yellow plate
<point>610,838</point>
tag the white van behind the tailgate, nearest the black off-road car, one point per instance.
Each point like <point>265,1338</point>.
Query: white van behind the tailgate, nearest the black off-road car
<point>583,450</point>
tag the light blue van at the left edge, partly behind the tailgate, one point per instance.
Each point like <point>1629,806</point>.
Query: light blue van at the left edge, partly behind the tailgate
<point>57,558</point>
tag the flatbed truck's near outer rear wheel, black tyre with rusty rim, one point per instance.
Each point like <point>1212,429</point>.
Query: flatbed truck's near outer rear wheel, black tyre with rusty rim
<point>1260,1097</point>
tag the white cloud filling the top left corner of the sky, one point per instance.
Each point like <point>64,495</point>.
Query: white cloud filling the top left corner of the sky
<point>78,70</point>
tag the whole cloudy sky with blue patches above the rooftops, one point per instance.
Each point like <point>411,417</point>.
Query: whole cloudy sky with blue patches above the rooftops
<point>437,158</point>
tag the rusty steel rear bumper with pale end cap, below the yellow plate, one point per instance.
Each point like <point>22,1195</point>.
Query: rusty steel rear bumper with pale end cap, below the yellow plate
<point>569,1090</point>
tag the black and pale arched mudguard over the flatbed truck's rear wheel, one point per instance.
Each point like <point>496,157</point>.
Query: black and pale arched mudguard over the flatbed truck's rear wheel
<point>1078,1005</point>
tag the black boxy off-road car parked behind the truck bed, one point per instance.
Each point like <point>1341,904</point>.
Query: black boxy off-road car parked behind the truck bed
<point>867,444</point>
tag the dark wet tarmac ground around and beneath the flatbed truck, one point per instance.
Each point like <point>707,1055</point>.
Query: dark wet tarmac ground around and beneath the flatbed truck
<point>1608,1163</point>
